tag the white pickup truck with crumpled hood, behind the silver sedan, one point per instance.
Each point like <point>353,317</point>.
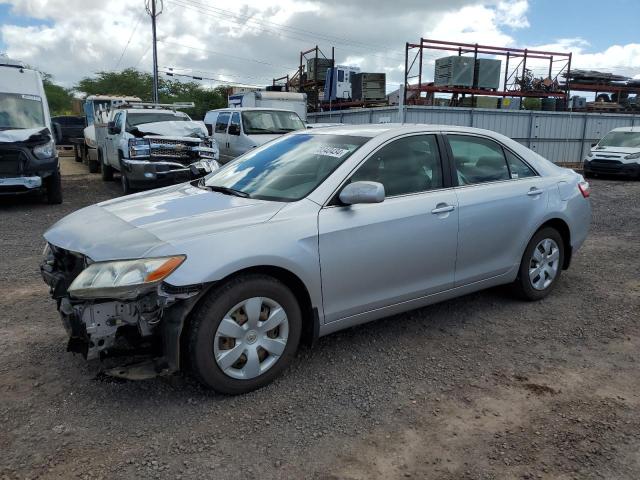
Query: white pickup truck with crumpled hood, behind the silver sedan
<point>154,145</point>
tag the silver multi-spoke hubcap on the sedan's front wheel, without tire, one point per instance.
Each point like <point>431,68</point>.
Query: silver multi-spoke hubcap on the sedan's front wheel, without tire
<point>251,338</point>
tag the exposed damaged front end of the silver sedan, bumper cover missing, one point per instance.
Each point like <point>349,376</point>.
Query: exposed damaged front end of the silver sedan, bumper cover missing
<point>147,329</point>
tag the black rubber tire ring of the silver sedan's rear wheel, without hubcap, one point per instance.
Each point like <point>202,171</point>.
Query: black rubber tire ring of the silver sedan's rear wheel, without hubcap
<point>523,285</point>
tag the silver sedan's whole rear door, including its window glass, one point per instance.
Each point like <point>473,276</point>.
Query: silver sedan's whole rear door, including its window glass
<point>501,201</point>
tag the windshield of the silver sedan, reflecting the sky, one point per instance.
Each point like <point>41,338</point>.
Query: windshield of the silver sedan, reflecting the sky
<point>287,169</point>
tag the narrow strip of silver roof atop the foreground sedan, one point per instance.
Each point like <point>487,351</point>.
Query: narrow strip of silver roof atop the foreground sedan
<point>374,130</point>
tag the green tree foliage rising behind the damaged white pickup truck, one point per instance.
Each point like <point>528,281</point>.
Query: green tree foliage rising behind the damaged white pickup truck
<point>132,82</point>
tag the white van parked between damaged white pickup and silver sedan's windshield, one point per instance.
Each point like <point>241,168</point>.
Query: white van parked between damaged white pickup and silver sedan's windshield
<point>238,130</point>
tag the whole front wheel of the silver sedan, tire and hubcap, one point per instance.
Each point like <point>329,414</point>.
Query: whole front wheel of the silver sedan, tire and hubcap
<point>244,334</point>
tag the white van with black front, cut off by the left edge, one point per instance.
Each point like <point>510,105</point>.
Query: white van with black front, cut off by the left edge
<point>28,158</point>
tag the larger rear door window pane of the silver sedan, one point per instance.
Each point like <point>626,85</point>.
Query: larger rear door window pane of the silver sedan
<point>478,160</point>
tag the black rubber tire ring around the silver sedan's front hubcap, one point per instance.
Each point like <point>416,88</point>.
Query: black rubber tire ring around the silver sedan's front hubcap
<point>207,317</point>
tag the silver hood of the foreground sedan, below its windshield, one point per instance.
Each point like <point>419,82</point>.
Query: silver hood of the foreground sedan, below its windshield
<point>135,225</point>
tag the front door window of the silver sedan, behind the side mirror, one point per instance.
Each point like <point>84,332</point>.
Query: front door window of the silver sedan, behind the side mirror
<point>408,165</point>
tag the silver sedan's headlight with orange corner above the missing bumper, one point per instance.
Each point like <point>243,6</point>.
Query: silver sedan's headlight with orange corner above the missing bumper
<point>124,279</point>
